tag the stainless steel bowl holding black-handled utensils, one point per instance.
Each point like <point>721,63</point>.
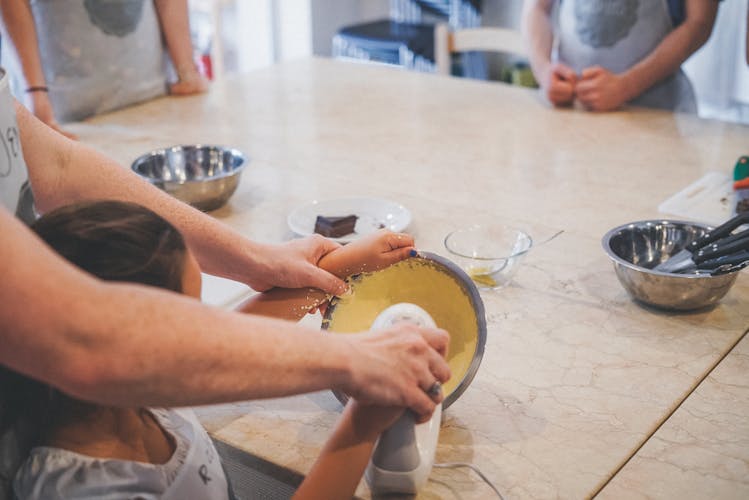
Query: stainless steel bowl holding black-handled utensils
<point>638,247</point>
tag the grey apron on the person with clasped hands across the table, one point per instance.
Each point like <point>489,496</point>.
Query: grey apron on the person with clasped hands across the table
<point>616,34</point>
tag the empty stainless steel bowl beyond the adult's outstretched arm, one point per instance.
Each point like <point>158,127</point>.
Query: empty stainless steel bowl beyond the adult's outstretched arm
<point>203,176</point>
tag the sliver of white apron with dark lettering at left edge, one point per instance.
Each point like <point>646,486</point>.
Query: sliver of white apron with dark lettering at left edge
<point>15,192</point>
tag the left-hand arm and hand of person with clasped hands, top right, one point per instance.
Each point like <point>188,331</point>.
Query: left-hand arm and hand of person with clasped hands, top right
<point>557,80</point>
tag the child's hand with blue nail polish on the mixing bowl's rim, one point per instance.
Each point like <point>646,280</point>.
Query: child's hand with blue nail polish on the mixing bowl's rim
<point>371,253</point>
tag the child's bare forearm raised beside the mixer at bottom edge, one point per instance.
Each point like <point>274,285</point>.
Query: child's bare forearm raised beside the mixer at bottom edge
<point>340,466</point>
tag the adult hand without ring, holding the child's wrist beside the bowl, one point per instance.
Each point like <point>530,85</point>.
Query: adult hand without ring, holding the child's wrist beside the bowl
<point>295,265</point>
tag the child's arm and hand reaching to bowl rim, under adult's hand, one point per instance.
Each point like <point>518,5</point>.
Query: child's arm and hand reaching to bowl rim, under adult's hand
<point>371,253</point>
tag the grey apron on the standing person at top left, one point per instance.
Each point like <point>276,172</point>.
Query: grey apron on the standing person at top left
<point>99,55</point>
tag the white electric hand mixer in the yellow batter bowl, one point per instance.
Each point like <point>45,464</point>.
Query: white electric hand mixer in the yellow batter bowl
<point>404,454</point>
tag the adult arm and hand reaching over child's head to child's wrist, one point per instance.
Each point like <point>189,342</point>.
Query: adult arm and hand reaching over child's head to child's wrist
<point>62,171</point>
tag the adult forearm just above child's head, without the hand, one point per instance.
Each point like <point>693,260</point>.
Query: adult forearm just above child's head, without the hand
<point>63,172</point>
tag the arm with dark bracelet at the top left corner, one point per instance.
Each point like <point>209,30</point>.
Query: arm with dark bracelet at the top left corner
<point>18,24</point>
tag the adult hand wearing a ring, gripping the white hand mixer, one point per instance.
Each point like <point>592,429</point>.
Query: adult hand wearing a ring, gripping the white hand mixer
<point>397,366</point>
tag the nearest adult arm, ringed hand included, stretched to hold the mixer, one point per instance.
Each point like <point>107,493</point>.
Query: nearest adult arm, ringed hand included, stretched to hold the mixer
<point>131,345</point>
